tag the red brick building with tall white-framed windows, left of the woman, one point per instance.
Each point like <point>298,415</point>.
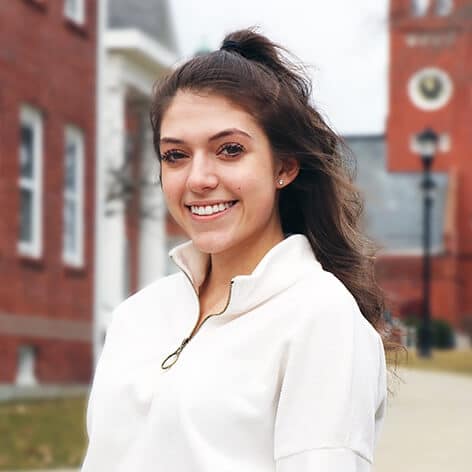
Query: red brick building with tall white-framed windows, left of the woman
<point>47,189</point>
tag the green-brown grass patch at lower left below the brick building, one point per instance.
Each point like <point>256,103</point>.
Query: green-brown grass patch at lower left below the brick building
<point>39,434</point>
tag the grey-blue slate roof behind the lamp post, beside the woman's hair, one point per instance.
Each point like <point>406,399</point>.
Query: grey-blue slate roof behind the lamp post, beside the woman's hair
<point>394,201</point>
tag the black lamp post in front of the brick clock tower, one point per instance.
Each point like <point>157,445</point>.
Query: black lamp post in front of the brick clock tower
<point>427,142</point>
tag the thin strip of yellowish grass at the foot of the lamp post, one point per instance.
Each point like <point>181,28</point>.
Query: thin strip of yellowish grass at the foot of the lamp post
<point>449,360</point>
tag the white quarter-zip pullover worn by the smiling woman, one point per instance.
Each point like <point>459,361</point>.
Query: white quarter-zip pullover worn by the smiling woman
<point>289,378</point>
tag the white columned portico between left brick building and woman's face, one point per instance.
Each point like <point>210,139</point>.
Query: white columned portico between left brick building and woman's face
<point>131,65</point>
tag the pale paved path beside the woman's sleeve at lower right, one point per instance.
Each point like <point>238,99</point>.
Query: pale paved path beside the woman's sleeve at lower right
<point>428,425</point>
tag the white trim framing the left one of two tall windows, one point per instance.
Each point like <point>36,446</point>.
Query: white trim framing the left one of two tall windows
<point>30,116</point>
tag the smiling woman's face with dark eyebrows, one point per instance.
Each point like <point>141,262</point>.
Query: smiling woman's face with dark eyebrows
<point>219,178</point>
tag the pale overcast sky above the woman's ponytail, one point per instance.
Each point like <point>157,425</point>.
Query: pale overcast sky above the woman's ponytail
<point>344,41</point>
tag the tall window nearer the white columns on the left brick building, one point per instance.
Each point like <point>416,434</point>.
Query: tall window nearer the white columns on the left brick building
<point>73,197</point>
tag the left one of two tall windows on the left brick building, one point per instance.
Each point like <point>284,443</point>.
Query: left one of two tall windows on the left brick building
<point>30,182</point>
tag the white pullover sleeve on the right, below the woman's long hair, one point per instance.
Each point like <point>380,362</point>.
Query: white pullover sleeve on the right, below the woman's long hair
<point>332,396</point>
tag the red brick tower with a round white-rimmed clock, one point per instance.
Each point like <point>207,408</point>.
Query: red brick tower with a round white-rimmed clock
<point>430,84</point>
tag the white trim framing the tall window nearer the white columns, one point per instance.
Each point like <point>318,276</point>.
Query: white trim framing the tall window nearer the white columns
<point>75,258</point>
